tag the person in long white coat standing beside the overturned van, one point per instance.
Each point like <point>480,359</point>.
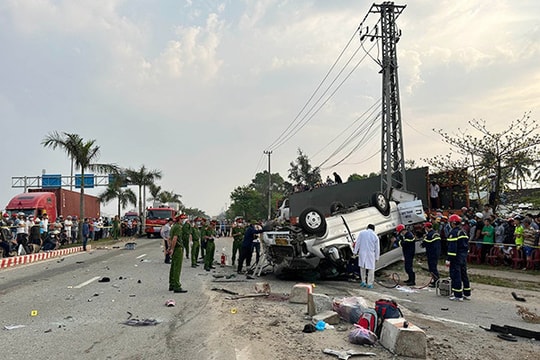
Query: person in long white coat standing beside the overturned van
<point>368,249</point>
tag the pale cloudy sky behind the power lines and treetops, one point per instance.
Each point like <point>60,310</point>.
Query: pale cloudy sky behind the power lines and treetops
<point>199,89</point>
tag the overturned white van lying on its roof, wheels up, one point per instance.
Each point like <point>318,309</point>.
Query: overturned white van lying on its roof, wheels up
<point>326,243</point>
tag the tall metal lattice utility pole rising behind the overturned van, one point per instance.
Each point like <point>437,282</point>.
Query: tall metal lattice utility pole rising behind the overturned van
<point>392,156</point>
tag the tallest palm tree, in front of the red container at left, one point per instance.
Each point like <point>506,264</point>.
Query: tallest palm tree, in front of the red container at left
<point>83,154</point>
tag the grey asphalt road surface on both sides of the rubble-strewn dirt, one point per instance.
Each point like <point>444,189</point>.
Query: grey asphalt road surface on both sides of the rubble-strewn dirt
<point>67,313</point>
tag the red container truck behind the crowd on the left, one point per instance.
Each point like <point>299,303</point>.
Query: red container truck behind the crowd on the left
<point>54,202</point>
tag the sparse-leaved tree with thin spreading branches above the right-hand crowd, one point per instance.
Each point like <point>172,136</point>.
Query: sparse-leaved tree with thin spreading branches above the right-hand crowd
<point>520,137</point>
